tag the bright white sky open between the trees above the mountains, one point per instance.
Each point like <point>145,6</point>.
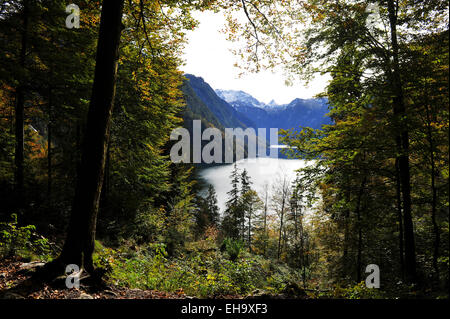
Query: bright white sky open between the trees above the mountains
<point>208,55</point>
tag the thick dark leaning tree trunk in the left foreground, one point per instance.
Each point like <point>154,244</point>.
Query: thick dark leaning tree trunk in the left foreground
<point>79,244</point>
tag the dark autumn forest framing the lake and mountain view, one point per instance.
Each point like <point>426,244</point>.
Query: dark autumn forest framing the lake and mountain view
<point>90,92</point>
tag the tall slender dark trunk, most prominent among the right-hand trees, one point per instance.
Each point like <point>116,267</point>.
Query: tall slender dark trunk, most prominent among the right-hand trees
<point>402,140</point>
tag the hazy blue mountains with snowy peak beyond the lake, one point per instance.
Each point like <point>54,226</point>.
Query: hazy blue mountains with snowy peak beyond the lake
<point>232,109</point>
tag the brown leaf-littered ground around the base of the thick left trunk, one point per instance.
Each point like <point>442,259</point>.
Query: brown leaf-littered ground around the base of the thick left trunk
<point>17,282</point>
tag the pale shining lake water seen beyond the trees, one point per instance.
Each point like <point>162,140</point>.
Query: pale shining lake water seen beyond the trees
<point>261,171</point>
